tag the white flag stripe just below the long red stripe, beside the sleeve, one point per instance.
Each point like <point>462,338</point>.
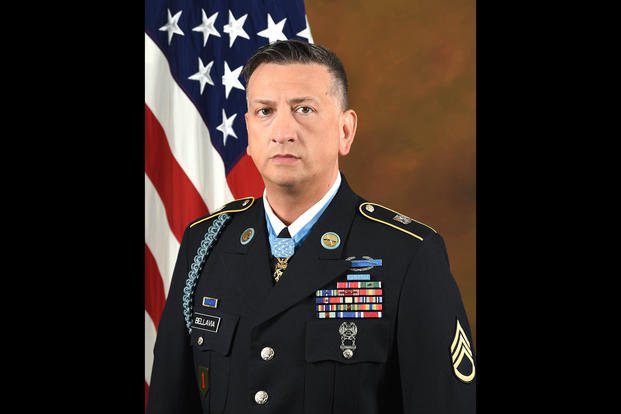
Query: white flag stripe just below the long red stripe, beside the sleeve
<point>157,234</point>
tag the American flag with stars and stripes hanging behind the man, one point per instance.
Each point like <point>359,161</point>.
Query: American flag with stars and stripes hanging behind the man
<point>195,134</point>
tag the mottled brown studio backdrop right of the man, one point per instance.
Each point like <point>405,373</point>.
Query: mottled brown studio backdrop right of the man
<point>411,69</point>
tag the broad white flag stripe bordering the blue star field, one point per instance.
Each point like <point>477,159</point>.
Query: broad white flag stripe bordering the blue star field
<point>187,134</point>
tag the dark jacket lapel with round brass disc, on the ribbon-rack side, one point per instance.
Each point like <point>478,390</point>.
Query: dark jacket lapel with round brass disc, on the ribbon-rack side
<point>313,266</point>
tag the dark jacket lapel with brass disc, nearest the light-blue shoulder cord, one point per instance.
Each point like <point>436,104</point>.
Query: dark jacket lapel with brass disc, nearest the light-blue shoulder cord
<point>249,264</point>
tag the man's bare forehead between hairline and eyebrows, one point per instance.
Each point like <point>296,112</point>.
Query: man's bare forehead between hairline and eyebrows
<point>296,77</point>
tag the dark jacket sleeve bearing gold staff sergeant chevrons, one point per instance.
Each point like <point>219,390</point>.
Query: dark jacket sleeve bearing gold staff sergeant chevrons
<point>428,338</point>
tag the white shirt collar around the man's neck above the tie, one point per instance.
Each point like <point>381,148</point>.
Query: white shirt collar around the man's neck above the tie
<point>300,227</point>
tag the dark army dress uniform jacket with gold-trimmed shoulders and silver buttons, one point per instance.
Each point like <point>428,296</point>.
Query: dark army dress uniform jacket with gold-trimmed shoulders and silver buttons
<point>417,358</point>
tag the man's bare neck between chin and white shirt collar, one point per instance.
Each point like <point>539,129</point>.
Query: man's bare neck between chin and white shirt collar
<point>290,203</point>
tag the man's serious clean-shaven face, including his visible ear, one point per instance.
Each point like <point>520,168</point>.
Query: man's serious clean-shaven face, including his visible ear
<point>296,127</point>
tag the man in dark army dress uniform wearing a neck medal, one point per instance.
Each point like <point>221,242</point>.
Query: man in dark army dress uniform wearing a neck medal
<point>310,299</point>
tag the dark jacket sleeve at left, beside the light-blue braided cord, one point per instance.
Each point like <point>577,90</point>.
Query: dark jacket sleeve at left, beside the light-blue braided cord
<point>173,388</point>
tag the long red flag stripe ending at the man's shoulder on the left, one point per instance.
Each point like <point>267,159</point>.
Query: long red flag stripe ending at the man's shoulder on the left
<point>182,201</point>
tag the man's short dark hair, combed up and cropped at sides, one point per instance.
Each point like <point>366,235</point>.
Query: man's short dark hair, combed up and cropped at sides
<point>294,51</point>
